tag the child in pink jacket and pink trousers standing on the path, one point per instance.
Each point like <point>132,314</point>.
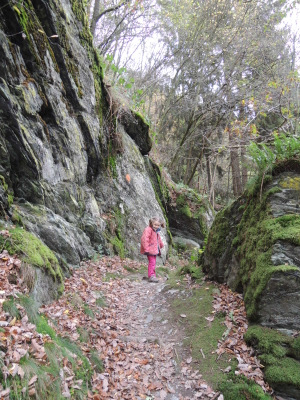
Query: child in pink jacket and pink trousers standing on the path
<point>151,244</point>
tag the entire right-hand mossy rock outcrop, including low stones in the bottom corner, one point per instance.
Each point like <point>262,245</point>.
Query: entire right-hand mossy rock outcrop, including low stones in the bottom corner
<point>254,247</point>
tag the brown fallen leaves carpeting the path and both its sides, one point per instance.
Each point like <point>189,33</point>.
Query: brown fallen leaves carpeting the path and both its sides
<point>139,349</point>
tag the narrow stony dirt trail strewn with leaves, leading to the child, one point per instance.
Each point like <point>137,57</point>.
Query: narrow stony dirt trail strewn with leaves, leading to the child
<point>148,323</point>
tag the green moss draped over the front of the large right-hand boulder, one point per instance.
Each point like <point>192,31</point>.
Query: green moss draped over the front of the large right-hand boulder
<point>257,232</point>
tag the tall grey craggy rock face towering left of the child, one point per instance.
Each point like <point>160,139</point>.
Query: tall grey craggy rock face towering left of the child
<point>77,179</point>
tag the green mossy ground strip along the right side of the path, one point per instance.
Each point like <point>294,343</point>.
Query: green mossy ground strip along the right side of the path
<point>202,336</point>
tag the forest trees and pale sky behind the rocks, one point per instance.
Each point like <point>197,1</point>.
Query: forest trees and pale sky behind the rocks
<point>217,80</point>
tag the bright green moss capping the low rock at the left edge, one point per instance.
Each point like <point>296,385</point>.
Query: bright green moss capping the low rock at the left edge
<point>32,251</point>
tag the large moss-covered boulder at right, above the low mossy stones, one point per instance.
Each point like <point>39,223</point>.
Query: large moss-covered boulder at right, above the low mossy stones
<point>256,252</point>
